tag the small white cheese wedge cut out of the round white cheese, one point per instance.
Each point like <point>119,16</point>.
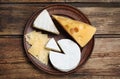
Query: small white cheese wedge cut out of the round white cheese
<point>52,45</point>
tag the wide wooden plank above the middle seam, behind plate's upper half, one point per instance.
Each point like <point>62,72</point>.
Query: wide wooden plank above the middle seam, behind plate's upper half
<point>13,18</point>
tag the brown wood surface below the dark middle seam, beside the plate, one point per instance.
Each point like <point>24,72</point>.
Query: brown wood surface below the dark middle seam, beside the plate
<point>15,64</point>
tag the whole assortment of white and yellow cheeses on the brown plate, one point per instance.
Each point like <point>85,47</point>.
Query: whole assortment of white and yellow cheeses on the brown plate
<point>64,54</point>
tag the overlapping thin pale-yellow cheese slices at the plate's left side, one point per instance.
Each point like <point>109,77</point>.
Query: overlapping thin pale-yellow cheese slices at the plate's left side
<point>37,40</point>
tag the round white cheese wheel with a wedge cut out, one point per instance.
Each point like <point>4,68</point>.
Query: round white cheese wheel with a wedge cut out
<point>70,59</point>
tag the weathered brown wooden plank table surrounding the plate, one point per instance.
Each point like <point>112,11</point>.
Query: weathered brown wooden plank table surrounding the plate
<point>104,62</point>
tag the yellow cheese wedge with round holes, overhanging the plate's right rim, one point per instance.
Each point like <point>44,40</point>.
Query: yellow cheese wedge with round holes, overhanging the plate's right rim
<point>80,31</point>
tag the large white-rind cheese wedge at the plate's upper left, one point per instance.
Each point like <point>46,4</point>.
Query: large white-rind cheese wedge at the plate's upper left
<point>44,22</point>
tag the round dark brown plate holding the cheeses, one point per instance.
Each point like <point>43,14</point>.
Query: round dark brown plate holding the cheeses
<point>64,10</point>
